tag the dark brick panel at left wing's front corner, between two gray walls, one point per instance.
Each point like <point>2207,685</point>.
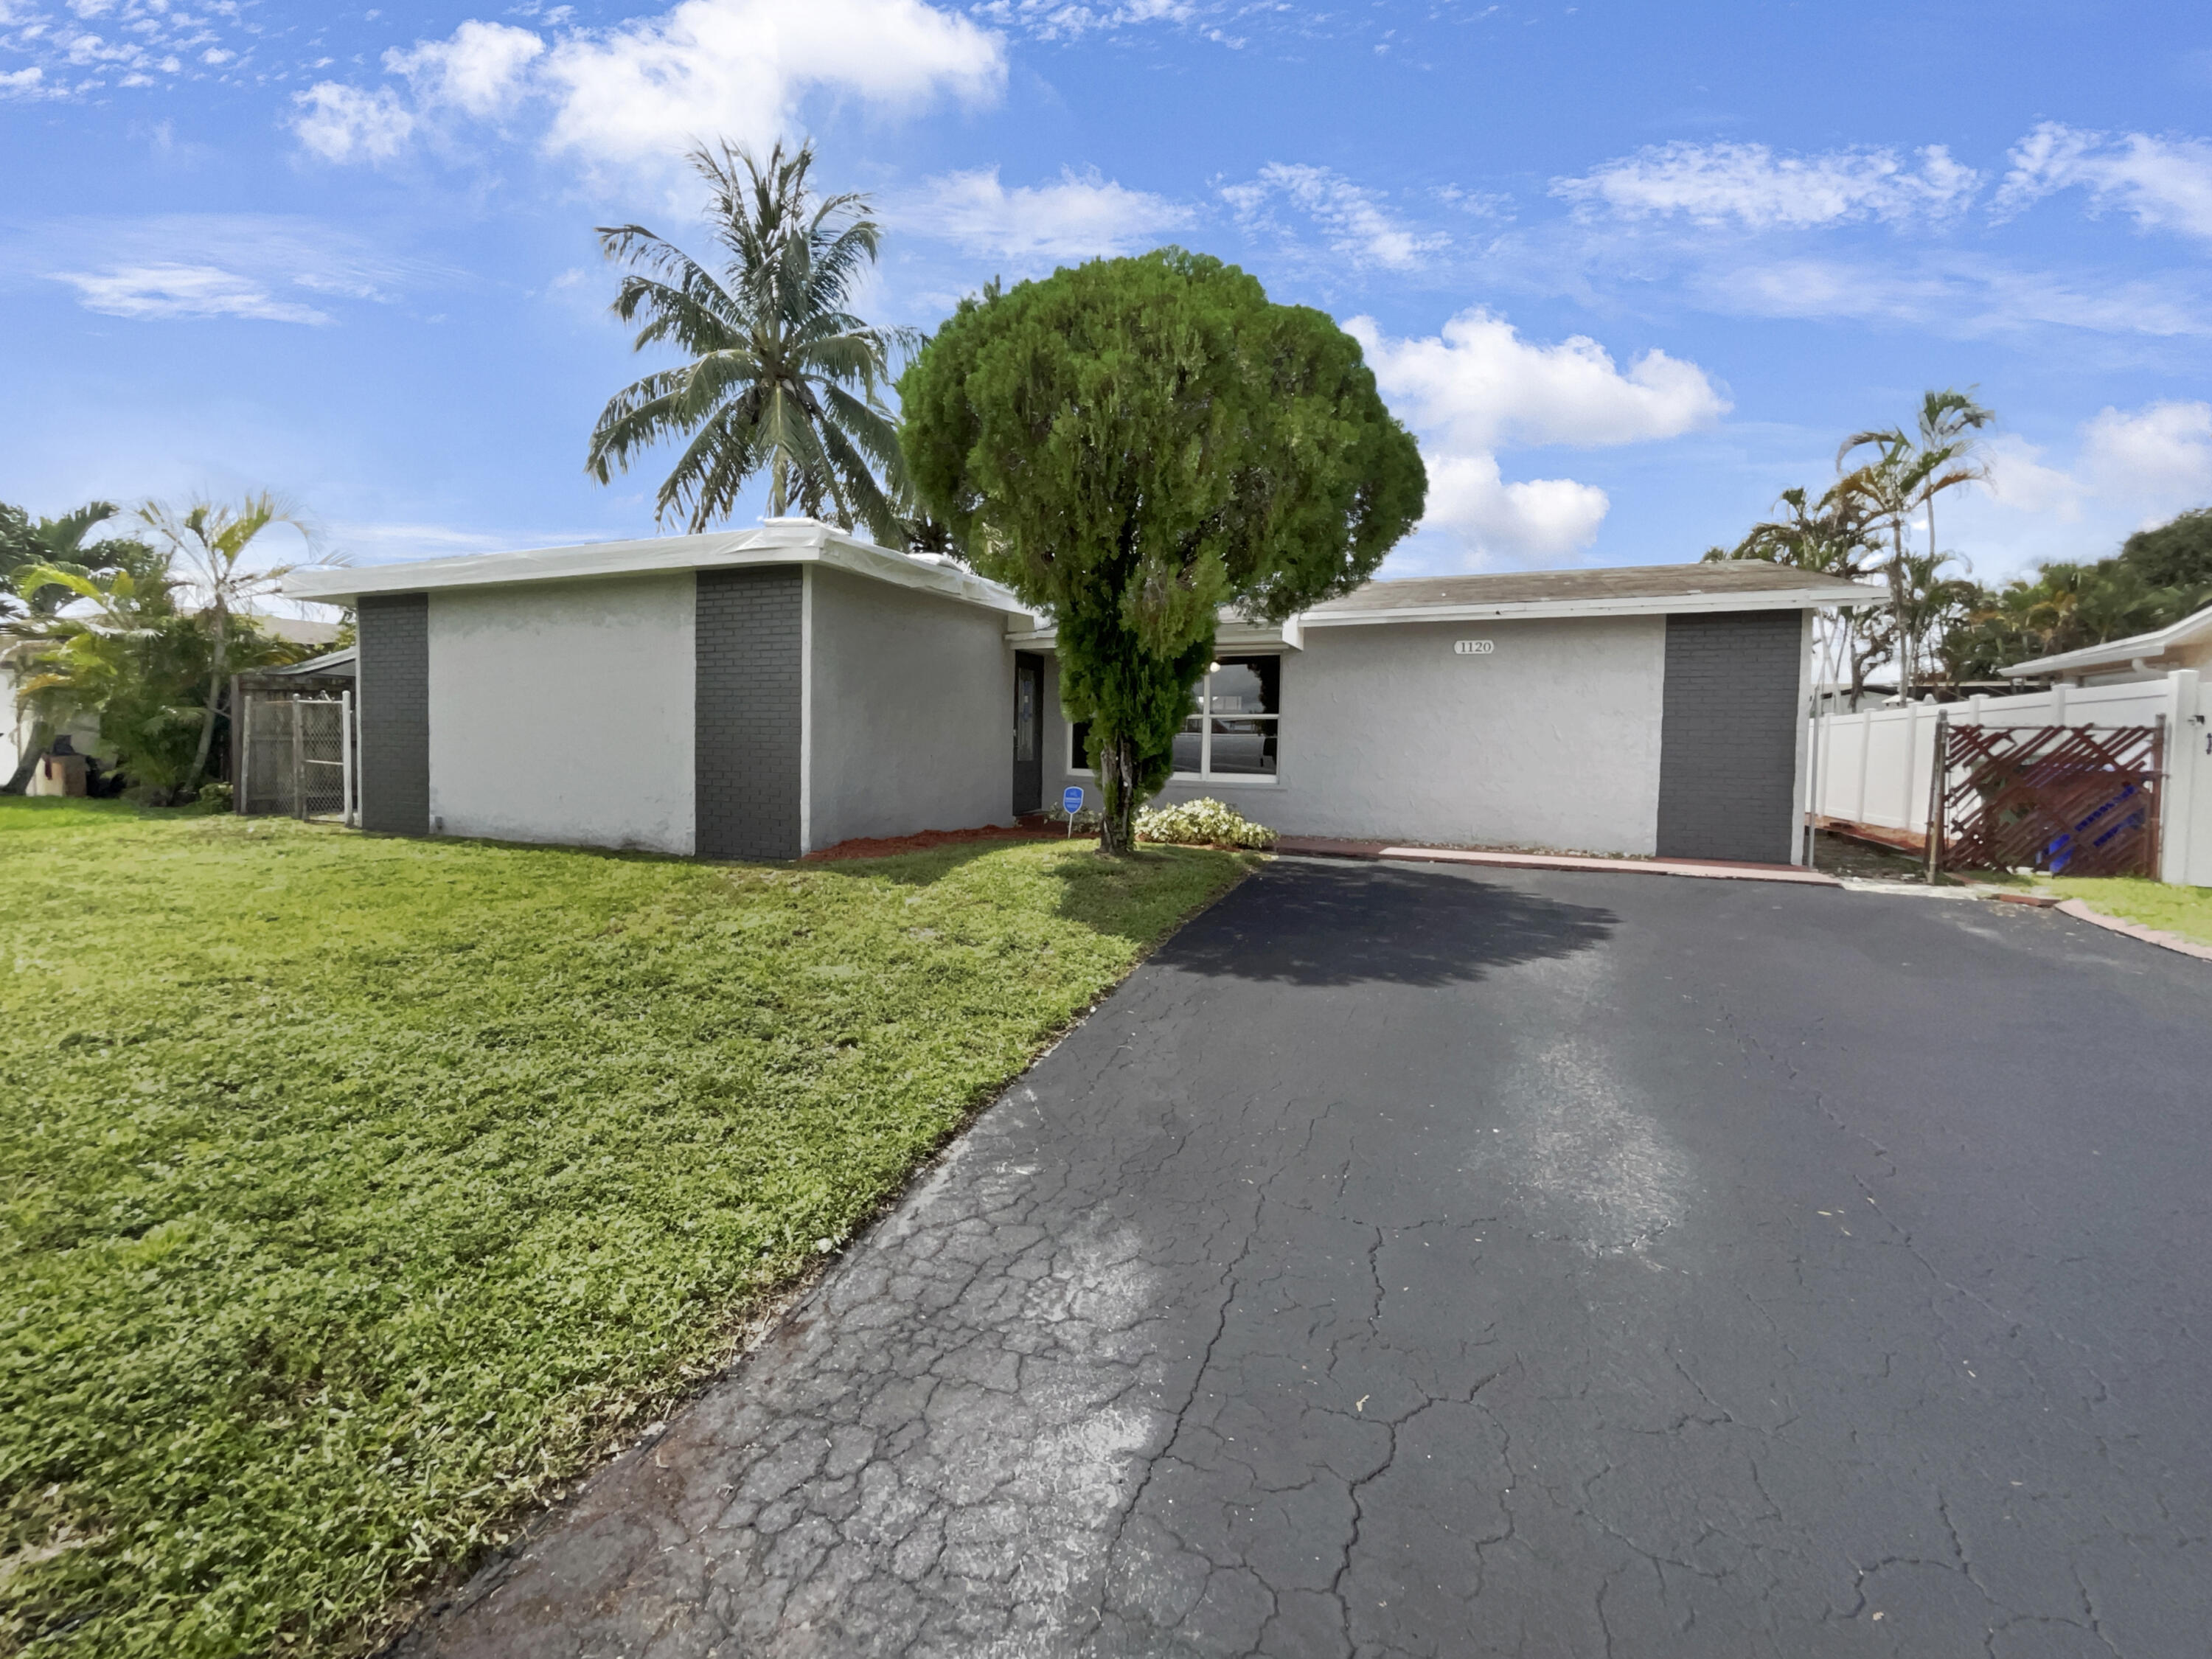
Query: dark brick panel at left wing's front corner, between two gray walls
<point>749,713</point>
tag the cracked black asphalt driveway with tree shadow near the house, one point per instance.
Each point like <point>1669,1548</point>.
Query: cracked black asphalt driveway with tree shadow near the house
<point>1417,1262</point>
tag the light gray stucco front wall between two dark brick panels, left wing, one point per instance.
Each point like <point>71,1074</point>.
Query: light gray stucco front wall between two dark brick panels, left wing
<point>565,713</point>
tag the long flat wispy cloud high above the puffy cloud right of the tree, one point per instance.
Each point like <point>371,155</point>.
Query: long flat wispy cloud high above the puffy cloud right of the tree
<point>1753,187</point>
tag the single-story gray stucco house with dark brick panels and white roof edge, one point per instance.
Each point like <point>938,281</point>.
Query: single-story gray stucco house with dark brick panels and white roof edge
<point>775,691</point>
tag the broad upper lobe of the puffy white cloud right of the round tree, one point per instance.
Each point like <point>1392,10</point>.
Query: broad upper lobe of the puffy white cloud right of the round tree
<point>1483,384</point>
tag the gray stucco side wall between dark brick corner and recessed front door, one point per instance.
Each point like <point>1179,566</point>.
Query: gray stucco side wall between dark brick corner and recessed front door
<point>910,713</point>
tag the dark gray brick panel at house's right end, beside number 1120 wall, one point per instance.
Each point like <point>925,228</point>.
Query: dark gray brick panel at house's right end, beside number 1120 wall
<point>1729,735</point>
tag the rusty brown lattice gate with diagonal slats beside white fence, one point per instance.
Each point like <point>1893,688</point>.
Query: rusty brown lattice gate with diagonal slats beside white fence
<point>2067,800</point>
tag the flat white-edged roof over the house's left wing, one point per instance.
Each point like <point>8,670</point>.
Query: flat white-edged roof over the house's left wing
<point>780,541</point>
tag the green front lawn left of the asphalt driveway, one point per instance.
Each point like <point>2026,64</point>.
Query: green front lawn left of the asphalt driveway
<point>357,1193</point>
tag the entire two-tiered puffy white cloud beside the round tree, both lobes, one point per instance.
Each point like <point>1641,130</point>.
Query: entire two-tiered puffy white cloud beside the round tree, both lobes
<point>1479,386</point>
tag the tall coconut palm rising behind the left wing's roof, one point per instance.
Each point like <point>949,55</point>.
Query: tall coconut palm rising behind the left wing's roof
<point>780,373</point>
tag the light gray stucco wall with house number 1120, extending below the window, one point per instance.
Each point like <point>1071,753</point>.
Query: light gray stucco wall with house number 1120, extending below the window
<point>1550,740</point>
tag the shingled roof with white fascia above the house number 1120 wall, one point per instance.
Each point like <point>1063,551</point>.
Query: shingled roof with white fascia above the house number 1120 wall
<point>1636,589</point>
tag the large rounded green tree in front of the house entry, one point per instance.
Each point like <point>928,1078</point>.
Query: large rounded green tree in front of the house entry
<point>1134,446</point>
